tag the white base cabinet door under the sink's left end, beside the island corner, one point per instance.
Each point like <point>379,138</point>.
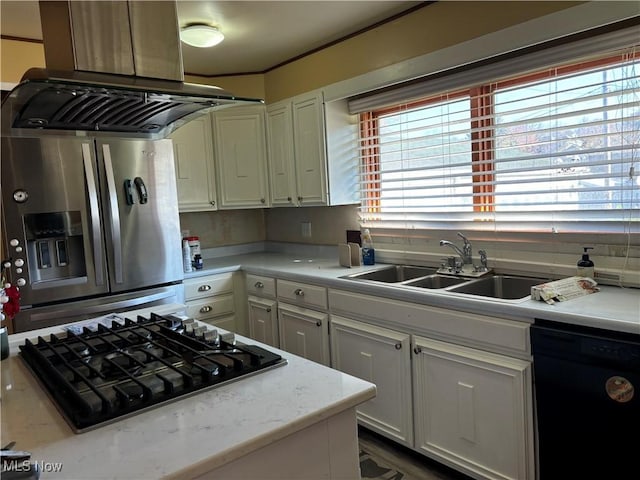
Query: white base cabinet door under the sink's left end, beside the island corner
<point>380,356</point>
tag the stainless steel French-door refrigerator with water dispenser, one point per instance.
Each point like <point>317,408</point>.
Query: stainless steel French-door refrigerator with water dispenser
<point>92,226</point>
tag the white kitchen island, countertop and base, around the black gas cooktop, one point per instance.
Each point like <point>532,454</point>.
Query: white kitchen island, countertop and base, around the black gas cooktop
<point>296,421</point>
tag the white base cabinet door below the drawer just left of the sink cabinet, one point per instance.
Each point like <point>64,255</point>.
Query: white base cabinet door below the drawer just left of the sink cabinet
<point>304,332</point>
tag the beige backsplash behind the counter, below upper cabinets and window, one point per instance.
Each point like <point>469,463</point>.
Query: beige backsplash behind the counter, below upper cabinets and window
<point>616,262</point>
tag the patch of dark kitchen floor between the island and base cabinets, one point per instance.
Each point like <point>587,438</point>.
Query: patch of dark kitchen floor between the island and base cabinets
<point>383,459</point>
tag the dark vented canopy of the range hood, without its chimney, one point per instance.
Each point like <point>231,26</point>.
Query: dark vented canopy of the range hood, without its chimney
<point>59,101</point>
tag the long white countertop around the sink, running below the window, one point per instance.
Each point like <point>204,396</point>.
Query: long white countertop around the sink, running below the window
<point>612,308</point>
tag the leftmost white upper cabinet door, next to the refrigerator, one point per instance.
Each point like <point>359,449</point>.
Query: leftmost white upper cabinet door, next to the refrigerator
<point>193,155</point>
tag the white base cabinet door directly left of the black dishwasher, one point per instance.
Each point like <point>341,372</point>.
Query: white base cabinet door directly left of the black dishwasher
<point>473,410</point>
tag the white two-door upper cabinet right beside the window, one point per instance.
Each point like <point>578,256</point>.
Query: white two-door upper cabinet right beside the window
<point>301,172</point>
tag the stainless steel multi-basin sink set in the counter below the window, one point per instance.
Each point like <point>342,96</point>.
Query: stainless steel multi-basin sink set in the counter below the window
<point>507,287</point>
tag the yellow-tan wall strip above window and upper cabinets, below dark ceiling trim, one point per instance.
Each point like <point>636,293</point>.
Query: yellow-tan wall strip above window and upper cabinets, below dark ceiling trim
<point>431,28</point>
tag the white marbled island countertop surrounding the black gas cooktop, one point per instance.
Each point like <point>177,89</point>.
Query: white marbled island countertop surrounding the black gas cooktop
<point>181,439</point>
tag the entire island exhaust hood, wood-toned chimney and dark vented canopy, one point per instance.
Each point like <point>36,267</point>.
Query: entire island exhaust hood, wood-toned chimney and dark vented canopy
<point>113,68</point>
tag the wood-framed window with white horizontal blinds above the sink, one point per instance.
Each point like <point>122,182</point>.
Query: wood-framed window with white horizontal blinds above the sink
<point>553,149</point>
